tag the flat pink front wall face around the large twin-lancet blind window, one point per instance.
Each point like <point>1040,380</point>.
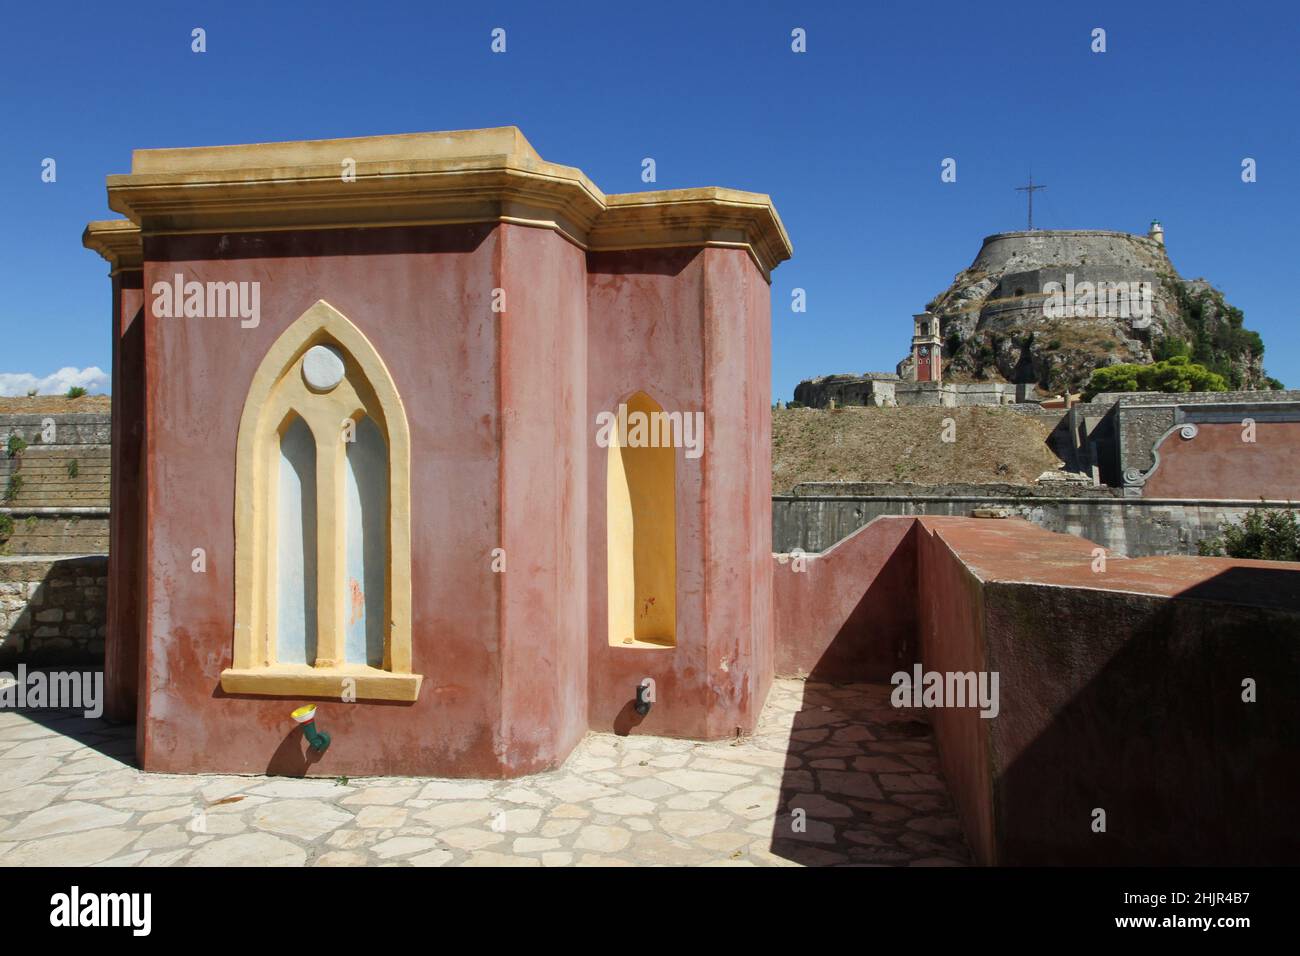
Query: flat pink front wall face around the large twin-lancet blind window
<point>423,297</point>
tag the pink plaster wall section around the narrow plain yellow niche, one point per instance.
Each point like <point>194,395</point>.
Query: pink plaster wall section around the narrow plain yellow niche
<point>691,330</point>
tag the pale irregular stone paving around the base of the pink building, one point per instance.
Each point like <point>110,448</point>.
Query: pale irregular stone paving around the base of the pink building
<point>833,776</point>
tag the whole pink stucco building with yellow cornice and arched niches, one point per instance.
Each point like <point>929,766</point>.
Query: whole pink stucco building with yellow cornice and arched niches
<point>515,576</point>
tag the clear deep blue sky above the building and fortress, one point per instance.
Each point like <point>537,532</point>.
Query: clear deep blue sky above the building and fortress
<point>848,139</point>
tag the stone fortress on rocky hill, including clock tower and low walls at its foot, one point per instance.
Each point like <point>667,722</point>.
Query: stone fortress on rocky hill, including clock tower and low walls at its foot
<point>1037,312</point>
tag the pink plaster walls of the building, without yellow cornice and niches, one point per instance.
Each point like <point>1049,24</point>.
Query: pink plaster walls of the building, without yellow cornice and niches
<point>501,410</point>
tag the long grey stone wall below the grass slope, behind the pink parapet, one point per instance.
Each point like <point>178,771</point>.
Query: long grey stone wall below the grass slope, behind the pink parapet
<point>1134,527</point>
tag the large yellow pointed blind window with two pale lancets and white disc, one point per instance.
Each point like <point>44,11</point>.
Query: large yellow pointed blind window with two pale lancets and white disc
<point>323,522</point>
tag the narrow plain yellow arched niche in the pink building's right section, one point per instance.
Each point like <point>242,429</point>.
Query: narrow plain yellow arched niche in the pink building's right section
<point>642,535</point>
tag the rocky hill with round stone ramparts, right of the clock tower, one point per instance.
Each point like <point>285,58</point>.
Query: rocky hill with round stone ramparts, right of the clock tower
<point>1011,315</point>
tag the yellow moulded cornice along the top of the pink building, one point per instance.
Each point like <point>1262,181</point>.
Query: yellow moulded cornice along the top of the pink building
<point>469,176</point>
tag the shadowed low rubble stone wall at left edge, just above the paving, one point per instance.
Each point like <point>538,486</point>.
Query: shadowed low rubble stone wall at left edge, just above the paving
<point>53,611</point>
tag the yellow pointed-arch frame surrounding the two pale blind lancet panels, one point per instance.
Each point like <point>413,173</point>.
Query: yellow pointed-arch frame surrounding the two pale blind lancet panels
<point>276,392</point>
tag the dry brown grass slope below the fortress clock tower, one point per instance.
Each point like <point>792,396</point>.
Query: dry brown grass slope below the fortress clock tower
<point>860,444</point>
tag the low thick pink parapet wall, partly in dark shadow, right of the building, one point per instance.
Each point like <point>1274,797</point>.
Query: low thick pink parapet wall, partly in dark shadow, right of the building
<point>1120,689</point>
